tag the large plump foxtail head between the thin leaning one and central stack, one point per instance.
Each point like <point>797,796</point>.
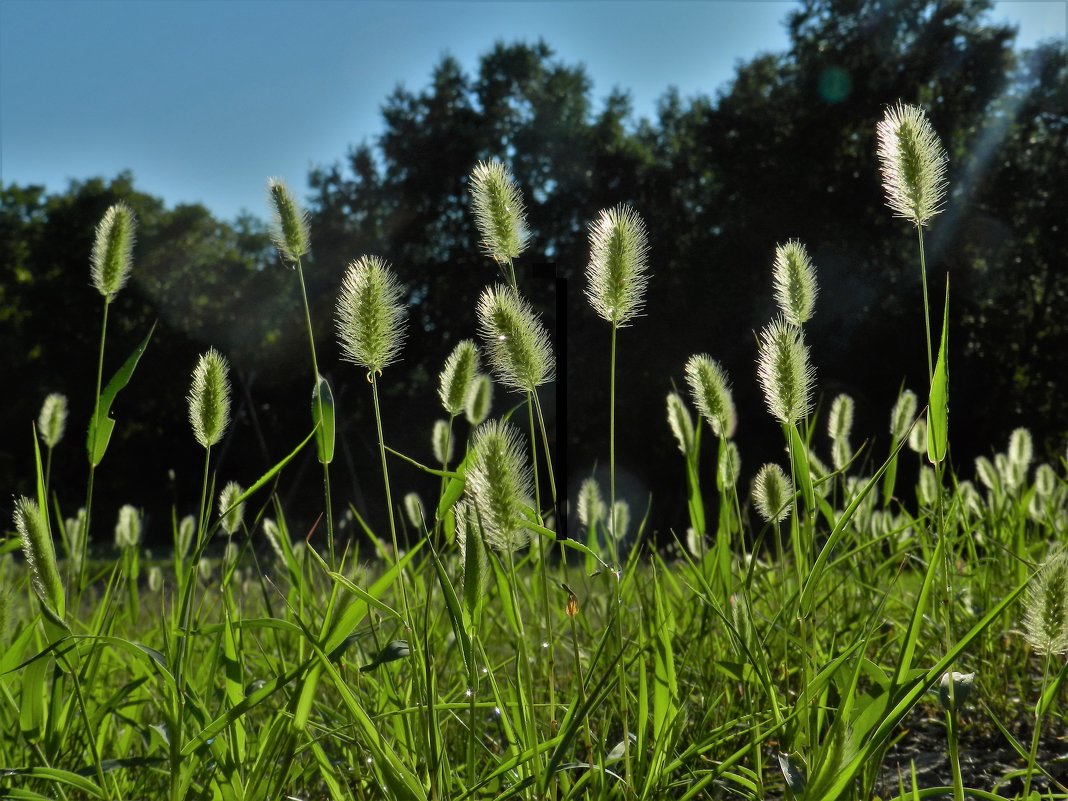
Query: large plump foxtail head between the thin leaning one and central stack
<point>371,315</point>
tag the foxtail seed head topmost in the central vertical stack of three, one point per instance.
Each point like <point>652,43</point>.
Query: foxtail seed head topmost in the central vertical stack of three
<point>499,212</point>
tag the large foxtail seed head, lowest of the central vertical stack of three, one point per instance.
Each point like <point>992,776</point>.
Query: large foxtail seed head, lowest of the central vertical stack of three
<point>500,485</point>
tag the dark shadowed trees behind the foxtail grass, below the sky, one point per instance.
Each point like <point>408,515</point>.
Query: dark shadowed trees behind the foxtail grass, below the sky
<point>787,151</point>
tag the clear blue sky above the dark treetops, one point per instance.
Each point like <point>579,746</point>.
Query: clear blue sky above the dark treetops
<point>206,100</point>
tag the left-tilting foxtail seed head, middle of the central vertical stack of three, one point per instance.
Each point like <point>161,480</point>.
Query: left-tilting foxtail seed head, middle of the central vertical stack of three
<point>517,343</point>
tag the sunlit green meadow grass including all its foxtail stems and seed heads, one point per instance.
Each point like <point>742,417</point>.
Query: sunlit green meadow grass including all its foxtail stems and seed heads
<point>813,630</point>
